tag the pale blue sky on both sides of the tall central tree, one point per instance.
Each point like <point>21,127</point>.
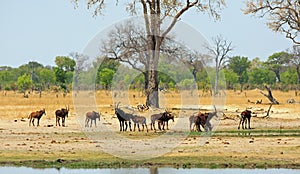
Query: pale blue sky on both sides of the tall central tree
<point>35,30</point>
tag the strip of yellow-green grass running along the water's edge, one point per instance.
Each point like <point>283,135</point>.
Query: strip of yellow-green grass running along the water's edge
<point>101,161</point>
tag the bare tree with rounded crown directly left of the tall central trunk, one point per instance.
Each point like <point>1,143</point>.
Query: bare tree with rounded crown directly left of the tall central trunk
<point>127,43</point>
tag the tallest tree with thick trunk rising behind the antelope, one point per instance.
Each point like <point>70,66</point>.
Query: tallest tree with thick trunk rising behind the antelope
<point>155,13</point>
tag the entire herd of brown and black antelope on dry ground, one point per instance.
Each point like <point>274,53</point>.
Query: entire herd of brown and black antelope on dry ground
<point>196,121</point>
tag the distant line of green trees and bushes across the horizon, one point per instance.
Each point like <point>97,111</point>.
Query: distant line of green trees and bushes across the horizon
<point>279,70</point>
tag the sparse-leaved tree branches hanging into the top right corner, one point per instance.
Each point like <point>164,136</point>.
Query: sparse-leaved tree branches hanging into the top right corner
<point>282,15</point>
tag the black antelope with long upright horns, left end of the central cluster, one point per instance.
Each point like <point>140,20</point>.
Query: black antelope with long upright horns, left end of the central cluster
<point>123,118</point>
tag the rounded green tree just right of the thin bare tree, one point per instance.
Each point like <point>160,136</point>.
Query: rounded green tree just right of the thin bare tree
<point>239,65</point>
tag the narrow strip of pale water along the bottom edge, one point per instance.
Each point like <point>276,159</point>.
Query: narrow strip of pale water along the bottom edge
<point>152,170</point>
